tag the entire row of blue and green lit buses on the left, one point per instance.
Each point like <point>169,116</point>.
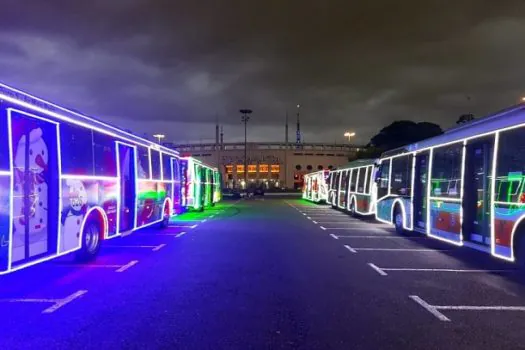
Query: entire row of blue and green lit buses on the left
<point>69,181</point>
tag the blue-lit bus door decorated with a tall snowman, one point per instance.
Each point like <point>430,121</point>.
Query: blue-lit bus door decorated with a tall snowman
<point>36,184</point>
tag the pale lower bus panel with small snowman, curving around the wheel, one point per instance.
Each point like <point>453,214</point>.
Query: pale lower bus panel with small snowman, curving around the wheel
<point>78,196</point>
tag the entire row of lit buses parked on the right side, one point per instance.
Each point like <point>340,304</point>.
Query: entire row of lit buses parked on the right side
<point>464,187</point>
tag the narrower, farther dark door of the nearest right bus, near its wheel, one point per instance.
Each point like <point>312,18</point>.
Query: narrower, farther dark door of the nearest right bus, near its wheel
<point>420,190</point>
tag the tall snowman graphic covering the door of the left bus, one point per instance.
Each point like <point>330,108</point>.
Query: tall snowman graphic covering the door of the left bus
<point>30,193</point>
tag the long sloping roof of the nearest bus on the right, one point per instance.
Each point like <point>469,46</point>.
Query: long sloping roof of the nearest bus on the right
<point>509,117</point>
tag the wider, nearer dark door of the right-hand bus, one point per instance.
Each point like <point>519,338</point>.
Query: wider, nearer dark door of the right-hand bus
<point>476,195</point>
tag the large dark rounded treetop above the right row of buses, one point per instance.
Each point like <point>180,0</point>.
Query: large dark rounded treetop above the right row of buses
<point>403,132</point>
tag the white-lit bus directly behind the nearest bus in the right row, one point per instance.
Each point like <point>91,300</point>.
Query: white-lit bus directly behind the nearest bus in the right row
<point>353,188</point>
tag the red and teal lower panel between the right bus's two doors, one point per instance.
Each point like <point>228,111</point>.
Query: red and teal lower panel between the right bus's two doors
<point>445,220</point>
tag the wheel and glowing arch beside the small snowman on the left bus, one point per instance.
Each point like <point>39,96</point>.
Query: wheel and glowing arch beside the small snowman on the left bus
<point>93,230</point>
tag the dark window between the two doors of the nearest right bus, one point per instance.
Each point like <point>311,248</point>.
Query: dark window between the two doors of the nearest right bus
<point>446,171</point>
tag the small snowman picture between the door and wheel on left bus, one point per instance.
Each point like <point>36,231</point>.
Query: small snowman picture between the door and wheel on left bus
<point>75,208</point>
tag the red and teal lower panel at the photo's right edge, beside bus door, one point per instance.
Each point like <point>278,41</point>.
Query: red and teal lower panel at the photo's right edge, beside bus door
<point>505,218</point>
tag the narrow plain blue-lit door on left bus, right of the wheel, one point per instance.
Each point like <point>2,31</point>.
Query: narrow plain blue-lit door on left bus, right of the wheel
<point>126,169</point>
